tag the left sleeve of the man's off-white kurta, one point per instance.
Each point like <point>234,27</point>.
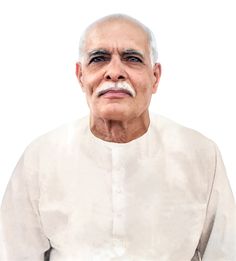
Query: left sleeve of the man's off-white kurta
<point>22,233</point>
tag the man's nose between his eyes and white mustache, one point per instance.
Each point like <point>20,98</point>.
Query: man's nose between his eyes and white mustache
<point>115,71</point>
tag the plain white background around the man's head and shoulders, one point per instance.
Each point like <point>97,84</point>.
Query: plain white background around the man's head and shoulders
<point>38,51</point>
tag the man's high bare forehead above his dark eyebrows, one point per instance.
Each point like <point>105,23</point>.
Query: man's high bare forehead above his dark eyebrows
<point>120,34</point>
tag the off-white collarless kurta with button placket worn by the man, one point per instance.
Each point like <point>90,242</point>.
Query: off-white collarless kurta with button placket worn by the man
<point>162,197</point>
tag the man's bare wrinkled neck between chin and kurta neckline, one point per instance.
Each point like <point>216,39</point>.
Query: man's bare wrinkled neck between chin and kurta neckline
<point>117,130</point>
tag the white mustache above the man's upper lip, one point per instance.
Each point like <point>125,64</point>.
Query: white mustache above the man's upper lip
<point>111,86</point>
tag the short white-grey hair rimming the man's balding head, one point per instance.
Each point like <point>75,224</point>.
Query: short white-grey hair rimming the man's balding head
<point>150,35</point>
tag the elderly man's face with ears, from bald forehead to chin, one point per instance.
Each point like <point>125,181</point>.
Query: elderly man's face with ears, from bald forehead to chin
<point>118,52</point>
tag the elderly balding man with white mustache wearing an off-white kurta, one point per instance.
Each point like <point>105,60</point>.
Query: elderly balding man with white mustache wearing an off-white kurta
<point>120,184</point>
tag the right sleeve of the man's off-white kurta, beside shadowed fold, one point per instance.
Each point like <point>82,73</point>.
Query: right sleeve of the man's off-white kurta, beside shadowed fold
<point>218,239</point>
